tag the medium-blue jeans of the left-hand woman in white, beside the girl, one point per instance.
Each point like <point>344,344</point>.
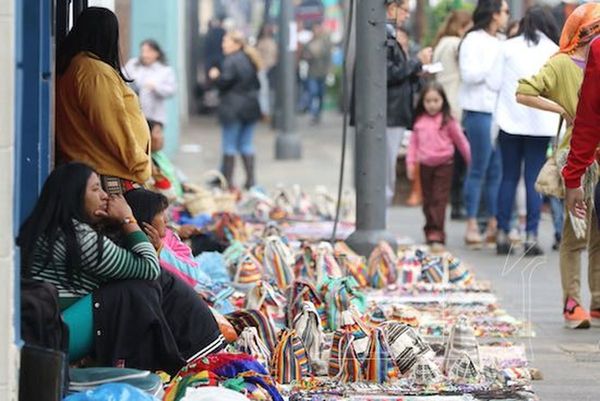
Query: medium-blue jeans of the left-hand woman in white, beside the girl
<point>486,164</point>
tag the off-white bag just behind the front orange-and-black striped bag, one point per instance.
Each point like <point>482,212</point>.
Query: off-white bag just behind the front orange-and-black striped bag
<point>308,327</point>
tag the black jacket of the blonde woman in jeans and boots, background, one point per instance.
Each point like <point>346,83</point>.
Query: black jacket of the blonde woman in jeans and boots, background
<point>238,87</point>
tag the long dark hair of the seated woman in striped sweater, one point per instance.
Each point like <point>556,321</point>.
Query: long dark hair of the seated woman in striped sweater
<point>61,201</point>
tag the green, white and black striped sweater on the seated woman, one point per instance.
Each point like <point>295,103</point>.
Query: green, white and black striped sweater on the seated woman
<point>136,260</point>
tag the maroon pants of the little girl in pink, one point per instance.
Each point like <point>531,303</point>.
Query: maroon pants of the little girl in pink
<point>436,183</point>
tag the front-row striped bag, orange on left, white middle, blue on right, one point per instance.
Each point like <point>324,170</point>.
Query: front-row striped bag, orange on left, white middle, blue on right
<point>378,366</point>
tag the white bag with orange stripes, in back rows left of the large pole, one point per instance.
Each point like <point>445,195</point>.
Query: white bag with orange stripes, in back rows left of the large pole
<point>278,261</point>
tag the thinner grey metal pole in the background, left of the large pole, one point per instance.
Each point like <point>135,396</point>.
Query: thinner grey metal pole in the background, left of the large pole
<point>288,144</point>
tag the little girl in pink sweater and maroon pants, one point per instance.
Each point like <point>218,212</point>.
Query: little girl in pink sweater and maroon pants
<point>436,135</point>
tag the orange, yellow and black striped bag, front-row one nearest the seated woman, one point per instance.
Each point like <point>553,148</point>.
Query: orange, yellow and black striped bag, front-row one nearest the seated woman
<point>290,362</point>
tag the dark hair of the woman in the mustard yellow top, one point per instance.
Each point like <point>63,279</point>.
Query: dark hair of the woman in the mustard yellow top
<point>97,31</point>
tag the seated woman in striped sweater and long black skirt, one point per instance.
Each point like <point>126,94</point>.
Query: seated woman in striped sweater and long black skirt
<point>126,312</point>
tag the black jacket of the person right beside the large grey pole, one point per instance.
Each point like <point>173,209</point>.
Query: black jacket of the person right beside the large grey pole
<point>402,80</point>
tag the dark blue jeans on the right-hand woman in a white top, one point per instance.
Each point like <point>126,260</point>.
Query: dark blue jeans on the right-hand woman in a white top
<point>516,150</point>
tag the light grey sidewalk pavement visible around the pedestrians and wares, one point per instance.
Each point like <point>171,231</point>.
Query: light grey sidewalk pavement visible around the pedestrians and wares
<point>528,288</point>
